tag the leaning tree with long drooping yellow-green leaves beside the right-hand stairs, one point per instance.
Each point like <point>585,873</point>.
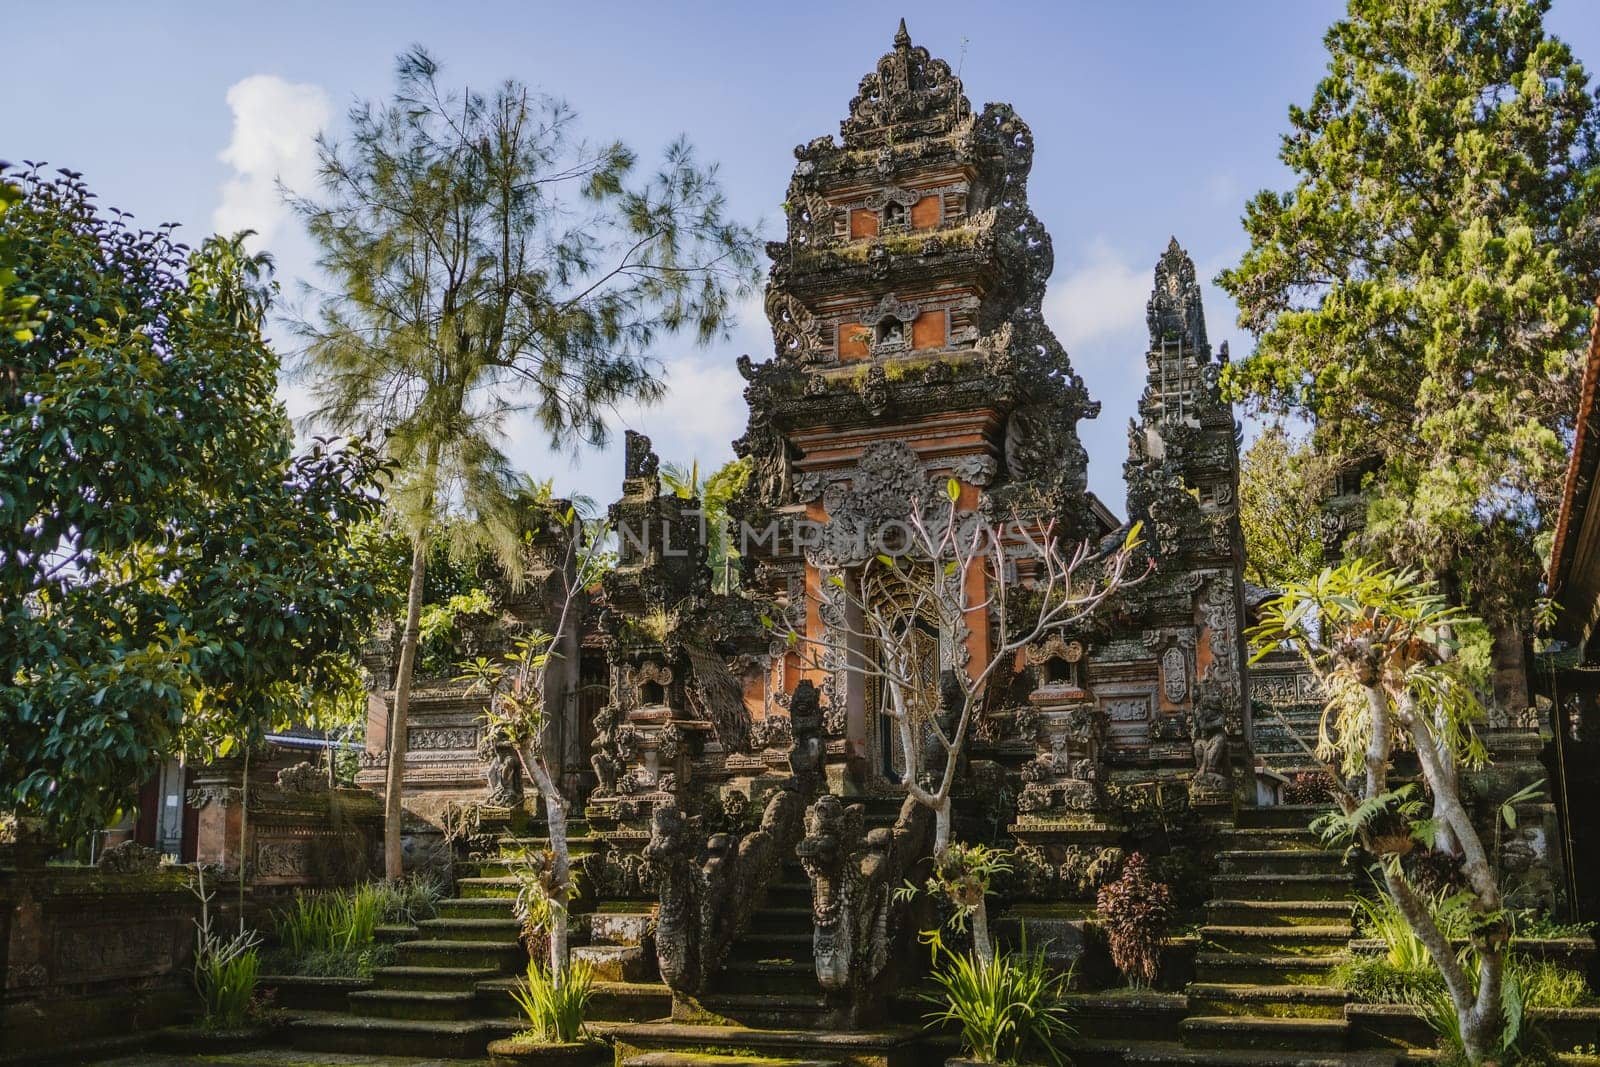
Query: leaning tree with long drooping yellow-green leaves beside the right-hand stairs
<point>1380,642</point>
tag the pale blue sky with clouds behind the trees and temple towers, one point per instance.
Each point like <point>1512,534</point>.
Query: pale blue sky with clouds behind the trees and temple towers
<point>1151,119</point>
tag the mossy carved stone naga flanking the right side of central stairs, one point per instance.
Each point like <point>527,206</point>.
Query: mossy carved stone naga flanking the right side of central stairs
<point>854,876</point>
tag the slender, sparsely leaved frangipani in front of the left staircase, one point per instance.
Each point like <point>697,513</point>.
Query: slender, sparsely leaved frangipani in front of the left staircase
<point>518,717</point>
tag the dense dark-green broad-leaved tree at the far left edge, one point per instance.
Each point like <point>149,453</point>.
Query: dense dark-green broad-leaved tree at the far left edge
<point>175,580</point>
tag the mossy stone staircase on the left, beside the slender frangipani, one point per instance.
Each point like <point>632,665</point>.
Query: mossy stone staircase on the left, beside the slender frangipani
<point>449,993</point>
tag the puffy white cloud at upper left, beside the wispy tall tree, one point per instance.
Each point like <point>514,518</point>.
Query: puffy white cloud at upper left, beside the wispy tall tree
<point>276,126</point>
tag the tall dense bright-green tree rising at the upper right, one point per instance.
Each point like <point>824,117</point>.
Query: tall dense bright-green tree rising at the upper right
<point>1422,294</point>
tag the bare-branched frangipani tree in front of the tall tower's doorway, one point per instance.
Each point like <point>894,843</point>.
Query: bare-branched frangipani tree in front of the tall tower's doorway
<point>985,594</point>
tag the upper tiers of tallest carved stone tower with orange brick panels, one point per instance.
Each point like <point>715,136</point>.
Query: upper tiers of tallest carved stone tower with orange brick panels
<point>910,350</point>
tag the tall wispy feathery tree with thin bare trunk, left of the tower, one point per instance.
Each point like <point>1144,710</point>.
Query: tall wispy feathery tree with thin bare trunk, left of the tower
<point>489,265</point>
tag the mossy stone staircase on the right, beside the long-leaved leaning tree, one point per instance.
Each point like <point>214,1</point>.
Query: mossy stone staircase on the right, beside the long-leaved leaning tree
<point>1278,925</point>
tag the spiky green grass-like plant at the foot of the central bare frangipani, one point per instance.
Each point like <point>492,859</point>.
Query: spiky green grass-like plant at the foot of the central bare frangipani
<point>1010,1009</point>
